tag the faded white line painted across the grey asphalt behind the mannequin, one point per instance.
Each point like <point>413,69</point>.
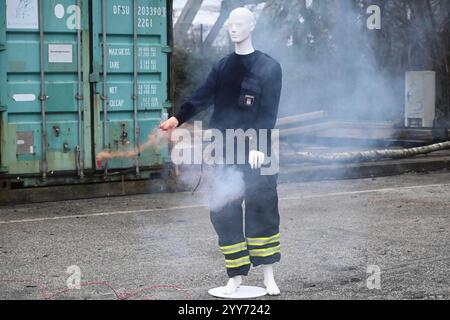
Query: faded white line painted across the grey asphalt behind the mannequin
<point>198,206</point>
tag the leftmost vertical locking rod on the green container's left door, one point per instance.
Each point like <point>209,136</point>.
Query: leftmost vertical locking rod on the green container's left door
<point>43,97</point>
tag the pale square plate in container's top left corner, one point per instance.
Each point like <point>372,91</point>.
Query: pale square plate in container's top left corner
<point>22,14</point>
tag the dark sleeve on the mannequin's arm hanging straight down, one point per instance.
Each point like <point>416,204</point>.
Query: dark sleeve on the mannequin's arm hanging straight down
<point>270,100</point>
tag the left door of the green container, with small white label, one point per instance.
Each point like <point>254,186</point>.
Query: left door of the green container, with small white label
<point>45,86</point>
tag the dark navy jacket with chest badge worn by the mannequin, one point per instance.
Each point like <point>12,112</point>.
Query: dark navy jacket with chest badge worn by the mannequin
<point>244,89</point>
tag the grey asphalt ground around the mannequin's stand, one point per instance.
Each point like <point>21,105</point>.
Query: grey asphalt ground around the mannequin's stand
<point>162,246</point>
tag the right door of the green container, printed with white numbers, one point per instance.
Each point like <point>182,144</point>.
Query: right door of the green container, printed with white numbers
<point>130,71</point>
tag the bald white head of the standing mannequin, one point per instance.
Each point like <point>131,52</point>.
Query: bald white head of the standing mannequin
<point>241,25</point>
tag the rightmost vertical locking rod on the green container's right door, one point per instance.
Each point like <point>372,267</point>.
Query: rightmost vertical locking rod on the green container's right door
<point>135,93</point>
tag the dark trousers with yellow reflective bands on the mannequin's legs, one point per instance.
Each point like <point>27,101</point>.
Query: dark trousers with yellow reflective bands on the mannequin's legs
<point>247,221</point>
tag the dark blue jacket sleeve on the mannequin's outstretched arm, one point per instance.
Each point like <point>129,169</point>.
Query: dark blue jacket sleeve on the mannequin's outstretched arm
<point>201,99</point>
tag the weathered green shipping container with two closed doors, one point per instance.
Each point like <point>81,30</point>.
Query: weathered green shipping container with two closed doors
<point>77,77</point>
